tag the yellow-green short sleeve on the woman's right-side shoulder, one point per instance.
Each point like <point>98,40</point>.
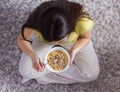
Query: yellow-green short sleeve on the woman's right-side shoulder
<point>84,25</point>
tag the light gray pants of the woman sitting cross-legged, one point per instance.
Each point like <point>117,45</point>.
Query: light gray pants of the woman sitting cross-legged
<point>85,66</point>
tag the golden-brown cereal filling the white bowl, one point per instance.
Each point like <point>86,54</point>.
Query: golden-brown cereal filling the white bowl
<point>57,60</point>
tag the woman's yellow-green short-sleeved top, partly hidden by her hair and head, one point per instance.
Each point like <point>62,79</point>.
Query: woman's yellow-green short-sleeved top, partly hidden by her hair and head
<point>83,25</point>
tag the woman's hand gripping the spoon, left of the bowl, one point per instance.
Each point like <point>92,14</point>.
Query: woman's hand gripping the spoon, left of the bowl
<point>36,63</point>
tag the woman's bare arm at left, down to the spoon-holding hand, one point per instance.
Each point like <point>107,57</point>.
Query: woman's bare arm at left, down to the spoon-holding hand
<point>26,47</point>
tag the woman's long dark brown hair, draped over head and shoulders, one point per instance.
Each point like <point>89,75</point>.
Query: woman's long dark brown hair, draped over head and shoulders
<point>54,19</point>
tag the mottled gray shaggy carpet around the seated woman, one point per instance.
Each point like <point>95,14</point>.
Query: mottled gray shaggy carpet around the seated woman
<point>106,40</point>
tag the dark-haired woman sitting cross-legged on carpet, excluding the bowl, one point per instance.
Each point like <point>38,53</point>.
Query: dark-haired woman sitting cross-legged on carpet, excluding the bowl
<point>62,23</point>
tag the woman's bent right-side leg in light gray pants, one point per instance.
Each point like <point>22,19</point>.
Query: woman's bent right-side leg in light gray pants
<point>85,67</point>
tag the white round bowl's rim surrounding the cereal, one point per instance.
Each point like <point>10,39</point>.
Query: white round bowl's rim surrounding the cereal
<point>53,49</point>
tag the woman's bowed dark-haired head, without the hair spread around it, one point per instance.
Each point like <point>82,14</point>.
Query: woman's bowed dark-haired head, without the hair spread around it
<point>55,24</point>
